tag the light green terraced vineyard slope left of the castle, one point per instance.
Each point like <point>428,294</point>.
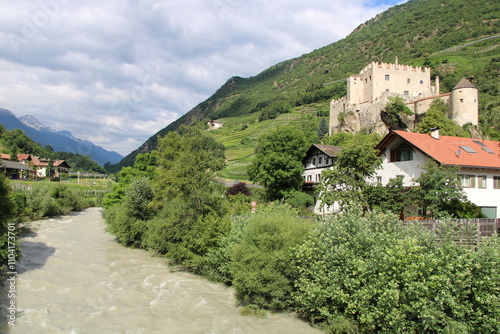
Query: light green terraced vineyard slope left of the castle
<point>240,135</point>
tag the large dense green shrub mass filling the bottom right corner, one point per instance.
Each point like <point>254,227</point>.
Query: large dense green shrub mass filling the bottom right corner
<point>377,275</point>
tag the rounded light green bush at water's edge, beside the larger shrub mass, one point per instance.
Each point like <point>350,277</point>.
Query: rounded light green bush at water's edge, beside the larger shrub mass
<point>260,261</point>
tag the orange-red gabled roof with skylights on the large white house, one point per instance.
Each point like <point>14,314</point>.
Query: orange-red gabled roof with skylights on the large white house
<point>448,150</point>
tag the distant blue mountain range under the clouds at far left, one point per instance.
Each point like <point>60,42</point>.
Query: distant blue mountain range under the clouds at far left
<point>58,140</point>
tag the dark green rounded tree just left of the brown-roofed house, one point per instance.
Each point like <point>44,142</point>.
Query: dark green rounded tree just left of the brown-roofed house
<point>278,161</point>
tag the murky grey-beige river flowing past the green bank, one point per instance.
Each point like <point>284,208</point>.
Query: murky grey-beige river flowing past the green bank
<point>74,278</point>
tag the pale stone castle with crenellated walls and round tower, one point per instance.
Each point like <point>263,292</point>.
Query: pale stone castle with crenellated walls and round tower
<point>370,90</point>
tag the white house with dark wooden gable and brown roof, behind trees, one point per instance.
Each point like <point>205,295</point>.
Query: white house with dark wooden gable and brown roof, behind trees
<point>318,158</point>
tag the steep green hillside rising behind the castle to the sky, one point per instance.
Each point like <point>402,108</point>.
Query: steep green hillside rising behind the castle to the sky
<point>456,38</point>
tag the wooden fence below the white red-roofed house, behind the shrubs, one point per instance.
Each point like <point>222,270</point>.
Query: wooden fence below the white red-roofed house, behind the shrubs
<point>473,230</point>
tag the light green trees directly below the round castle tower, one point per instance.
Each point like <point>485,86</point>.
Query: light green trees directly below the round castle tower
<point>435,117</point>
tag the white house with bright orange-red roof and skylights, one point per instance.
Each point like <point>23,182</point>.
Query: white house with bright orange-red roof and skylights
<point>404,153</point>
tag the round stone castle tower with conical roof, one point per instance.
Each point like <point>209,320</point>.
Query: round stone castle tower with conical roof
<point>463,105</point>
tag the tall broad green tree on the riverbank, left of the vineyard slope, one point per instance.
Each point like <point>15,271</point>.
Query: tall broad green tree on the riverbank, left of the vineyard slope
<point>189,202</point>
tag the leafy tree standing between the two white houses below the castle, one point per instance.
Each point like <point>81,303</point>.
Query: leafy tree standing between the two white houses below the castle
<point>346,184</point>
